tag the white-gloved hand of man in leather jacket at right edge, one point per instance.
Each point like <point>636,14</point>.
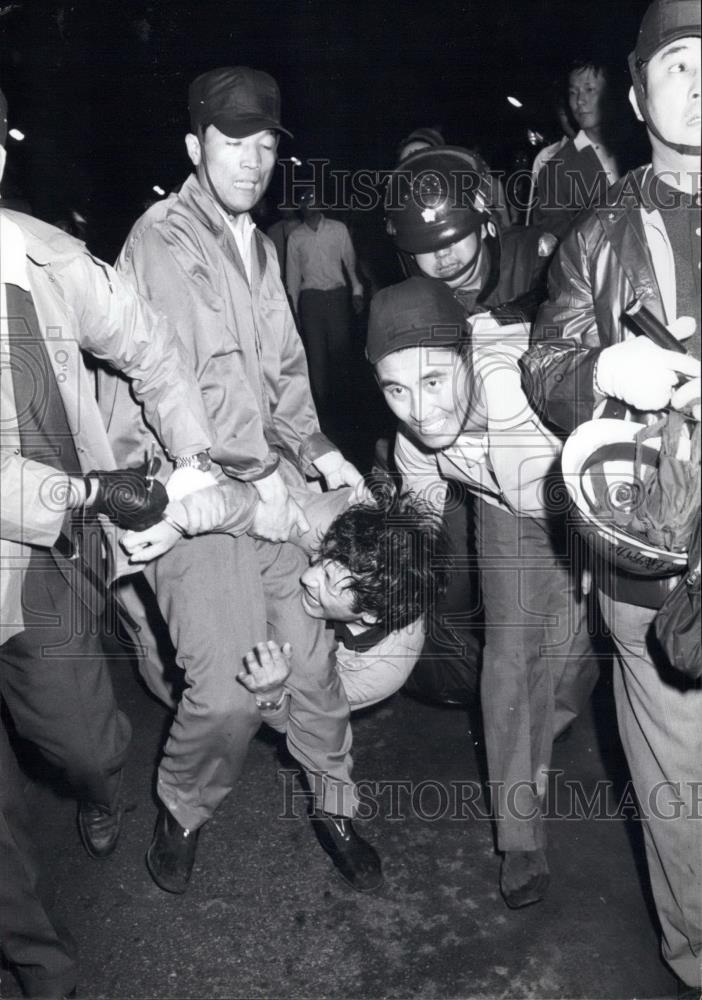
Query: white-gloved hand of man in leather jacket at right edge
<point>641,374</point>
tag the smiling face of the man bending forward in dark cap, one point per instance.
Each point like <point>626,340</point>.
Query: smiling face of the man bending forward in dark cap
<point>428,389</point>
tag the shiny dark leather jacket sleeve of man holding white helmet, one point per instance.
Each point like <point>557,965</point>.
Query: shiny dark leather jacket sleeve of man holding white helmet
<point>557,372</point>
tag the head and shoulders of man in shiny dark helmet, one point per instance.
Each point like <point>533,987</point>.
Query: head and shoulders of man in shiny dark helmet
<point>439,214</point>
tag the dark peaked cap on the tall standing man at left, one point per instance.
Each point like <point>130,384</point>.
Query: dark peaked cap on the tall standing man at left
<point>237,100</point>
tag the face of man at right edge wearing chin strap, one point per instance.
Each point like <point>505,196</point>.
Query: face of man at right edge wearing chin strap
<point>673,91</point>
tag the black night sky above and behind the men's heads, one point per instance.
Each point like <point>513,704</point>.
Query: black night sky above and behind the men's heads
<point>100,88</point>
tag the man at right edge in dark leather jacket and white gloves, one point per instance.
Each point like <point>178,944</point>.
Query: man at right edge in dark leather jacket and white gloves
<point>645,245</point>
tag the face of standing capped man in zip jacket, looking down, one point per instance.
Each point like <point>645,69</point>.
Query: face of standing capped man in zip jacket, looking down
<point>240,169</point>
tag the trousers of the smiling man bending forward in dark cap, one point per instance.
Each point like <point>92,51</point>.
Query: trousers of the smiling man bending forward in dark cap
<point>539,667</point>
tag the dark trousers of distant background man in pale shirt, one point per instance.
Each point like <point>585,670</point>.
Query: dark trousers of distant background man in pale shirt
<point>325,317</point>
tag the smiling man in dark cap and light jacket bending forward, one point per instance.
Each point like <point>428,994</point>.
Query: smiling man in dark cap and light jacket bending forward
<point>463,416</point>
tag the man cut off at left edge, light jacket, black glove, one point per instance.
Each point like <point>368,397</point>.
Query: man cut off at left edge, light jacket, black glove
<point>60,484</point>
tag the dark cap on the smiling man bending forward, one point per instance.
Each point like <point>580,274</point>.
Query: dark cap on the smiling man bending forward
<point>418,312</point>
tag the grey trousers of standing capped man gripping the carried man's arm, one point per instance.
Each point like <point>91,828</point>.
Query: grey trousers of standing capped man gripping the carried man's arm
<point>220,596</point>
